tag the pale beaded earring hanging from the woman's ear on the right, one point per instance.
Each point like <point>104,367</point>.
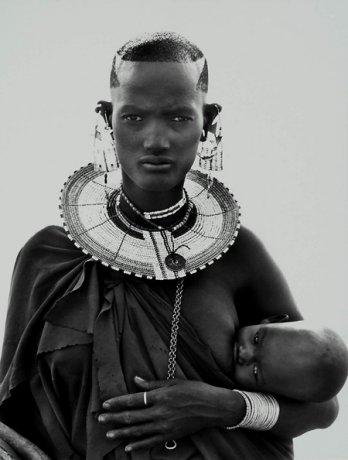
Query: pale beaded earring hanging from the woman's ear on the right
<point>210,150</point>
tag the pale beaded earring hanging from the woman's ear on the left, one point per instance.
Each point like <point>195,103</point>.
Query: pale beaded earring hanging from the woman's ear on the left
<point>105,155</point>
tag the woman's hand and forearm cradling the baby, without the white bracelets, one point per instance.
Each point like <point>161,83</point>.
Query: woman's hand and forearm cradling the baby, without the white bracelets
<point>178,408</point>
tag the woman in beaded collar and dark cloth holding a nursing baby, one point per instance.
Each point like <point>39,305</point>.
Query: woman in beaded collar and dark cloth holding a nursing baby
<point>91,353</point>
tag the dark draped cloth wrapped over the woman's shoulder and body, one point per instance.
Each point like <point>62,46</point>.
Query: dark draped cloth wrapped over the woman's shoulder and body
<point>76,334</point>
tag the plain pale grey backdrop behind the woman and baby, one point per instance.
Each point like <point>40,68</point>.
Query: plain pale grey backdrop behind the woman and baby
<point>280,70</point>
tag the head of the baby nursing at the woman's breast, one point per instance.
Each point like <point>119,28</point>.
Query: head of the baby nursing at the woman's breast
<point>291,360</point>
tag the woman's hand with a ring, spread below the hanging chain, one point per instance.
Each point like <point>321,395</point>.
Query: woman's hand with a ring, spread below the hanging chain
<point>174,409</point>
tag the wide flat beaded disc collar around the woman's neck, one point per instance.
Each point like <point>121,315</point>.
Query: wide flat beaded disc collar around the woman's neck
<point>93,221</point>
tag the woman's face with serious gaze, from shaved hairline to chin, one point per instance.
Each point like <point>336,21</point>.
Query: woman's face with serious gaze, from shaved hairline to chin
<point>157,121</point>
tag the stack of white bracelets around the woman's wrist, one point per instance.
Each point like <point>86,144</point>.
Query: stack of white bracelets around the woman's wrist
<point>262,411</point>
